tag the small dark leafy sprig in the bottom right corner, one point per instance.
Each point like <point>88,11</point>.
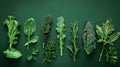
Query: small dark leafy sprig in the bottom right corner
<point>111,55</point>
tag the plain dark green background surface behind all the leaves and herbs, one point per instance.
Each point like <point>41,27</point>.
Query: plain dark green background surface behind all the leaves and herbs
<point>80,10</point>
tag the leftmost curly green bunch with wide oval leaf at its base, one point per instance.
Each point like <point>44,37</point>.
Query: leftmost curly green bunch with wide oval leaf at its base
<point>13,31</point>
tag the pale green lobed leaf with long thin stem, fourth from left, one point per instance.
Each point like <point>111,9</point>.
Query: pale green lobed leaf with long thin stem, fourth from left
<point>60,29</point>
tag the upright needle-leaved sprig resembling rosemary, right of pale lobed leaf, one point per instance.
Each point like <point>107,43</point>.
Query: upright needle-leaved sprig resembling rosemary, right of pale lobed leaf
<point>74,48</point>
